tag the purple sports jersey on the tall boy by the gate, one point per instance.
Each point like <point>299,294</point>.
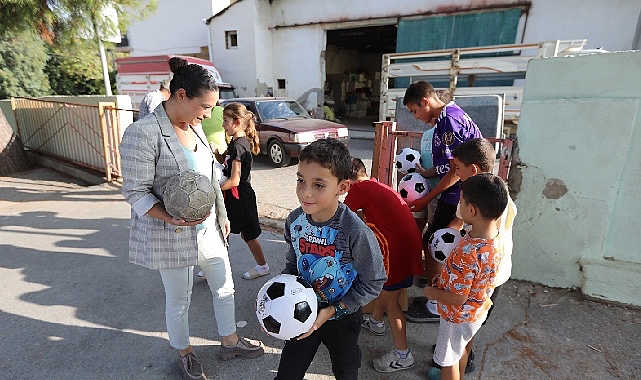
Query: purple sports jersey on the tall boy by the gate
<point>453,127</point>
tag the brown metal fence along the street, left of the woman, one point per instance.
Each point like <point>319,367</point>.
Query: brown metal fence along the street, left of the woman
<point>80,134</point>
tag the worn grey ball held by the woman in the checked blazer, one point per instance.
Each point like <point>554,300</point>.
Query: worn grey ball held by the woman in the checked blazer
<point>189,195</point>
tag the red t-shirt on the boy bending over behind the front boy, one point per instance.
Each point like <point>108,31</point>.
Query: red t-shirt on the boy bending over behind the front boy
<point>392,222</point>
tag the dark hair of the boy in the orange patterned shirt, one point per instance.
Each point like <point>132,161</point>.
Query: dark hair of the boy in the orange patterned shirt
<point>487,192</point>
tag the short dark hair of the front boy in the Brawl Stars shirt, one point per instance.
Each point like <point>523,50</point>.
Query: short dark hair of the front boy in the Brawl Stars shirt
<point>330,154</point>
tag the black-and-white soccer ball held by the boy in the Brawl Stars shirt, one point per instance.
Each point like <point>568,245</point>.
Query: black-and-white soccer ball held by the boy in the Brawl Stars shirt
<point>286,306</point>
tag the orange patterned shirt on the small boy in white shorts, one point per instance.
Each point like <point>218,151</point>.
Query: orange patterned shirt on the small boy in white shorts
<point>470,271</point>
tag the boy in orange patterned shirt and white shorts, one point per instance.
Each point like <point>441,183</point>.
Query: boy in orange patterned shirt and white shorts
<point>468,277</point>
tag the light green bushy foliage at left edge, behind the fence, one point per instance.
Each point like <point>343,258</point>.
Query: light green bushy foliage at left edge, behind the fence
<point>22,61</point>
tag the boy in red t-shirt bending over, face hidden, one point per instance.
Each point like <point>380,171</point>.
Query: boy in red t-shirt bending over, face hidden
<point>388,216</point>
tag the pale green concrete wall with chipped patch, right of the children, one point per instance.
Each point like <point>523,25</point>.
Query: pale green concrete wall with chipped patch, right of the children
<point>577,185</point>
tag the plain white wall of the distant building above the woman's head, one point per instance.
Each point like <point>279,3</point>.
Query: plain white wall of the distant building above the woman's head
<point>176,27</point>
